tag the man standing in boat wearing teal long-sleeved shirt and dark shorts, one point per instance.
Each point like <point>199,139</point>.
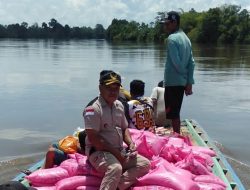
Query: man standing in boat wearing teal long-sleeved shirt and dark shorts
<point>179,68</point>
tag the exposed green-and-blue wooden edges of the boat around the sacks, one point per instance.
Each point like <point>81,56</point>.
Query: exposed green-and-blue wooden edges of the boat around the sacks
<point>221,167</point>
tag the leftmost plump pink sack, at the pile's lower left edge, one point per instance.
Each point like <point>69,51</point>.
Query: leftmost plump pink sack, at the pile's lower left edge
<point>47,177</point>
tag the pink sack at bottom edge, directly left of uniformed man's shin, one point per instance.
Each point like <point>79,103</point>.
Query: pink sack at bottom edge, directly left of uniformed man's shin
<point>76,181</point>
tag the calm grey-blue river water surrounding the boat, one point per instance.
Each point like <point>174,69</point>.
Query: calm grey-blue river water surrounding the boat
<point>44,85</point>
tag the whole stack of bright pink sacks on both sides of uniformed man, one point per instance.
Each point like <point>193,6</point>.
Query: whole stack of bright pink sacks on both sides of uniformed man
<point>175,165</point>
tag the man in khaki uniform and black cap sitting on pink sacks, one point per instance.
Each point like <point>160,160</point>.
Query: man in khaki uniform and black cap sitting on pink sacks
<point>106,129</point>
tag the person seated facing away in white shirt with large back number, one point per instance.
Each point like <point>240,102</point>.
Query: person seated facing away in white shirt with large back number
<point>141,109</point>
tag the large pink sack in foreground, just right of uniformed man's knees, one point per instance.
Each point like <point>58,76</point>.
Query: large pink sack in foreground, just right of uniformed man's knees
<point>159,176</point>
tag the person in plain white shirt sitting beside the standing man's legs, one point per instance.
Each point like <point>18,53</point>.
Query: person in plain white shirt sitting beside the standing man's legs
<point>157,96</point>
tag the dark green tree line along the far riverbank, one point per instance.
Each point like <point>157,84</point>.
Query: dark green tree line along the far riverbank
<point>225,24</point>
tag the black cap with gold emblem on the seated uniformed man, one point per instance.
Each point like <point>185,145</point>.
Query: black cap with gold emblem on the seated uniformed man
<point>108,77</point>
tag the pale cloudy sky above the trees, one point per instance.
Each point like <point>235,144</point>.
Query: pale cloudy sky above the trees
<point>91,12</point>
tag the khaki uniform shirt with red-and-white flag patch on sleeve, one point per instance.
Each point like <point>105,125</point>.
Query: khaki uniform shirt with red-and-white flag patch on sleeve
<point>108,122</point>
